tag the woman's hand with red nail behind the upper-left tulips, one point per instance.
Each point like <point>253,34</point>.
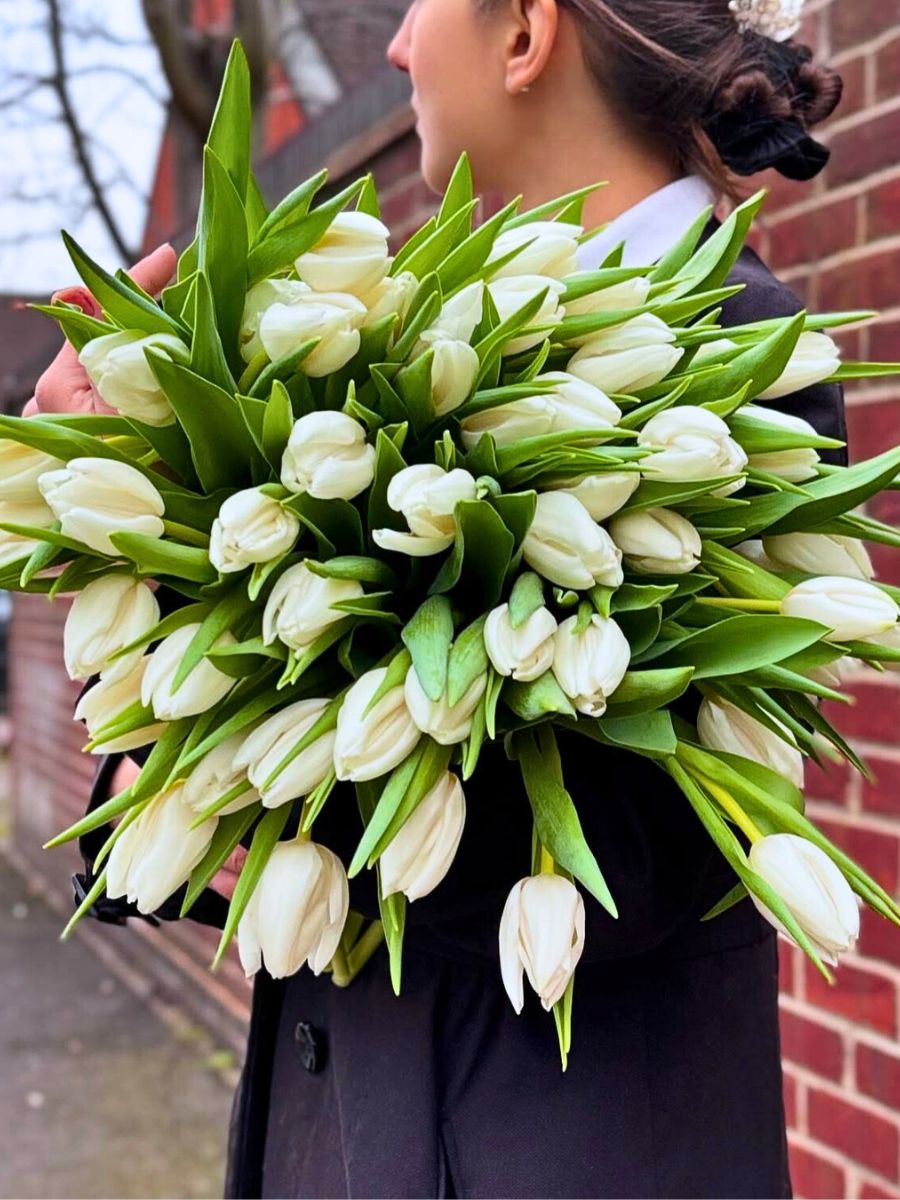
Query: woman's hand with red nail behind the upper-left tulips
<point>65,387</point>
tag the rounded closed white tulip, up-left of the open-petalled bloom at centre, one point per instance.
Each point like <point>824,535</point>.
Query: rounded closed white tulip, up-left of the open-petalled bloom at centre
<point>328,458</point>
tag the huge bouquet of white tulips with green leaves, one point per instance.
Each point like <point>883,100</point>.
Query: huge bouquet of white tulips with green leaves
<point>400,507</point>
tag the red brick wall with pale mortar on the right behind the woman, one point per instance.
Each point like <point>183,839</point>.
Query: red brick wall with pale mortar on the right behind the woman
<point>838,243</point>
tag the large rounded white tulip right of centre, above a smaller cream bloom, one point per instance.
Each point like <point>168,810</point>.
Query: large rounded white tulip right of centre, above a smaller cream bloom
<point>692,445</point>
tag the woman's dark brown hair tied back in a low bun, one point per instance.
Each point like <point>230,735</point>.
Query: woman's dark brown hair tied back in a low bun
<point>727,103</point>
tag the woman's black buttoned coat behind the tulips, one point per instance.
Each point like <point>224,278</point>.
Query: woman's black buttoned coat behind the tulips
<point>674,1087</point>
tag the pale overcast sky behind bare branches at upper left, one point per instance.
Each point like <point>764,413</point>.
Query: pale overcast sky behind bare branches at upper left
<point>41,188</point>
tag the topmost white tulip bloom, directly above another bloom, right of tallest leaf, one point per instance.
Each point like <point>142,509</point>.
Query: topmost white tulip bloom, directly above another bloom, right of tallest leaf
<point>351,257</point>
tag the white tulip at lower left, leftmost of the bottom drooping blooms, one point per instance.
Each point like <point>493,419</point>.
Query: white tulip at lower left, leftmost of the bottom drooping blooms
<point>159,850</point>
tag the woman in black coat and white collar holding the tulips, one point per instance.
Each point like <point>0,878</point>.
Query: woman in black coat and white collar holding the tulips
<point>675,1084</point>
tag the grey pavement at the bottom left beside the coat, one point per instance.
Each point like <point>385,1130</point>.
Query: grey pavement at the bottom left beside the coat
<point>99,1097</point>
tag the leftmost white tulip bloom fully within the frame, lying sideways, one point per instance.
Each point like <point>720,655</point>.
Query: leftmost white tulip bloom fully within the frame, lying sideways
<point>94,499</point>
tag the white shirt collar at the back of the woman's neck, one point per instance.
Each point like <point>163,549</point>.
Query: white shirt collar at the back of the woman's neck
<point>652,227</point>
